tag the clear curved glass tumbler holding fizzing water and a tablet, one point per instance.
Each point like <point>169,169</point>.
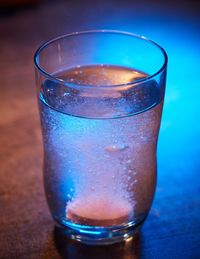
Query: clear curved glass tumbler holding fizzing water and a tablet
<point>100,96</point>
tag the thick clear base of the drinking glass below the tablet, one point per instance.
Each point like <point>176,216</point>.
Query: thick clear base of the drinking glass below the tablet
<point>99,235</point>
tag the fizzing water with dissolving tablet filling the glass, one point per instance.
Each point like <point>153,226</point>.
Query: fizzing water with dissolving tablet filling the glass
<point>100,145</point>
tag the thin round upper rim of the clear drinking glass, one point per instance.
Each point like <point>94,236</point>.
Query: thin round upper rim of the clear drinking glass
<point>108,86</point>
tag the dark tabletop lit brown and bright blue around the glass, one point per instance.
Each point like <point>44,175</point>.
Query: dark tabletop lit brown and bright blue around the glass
<point>173,225</point>
